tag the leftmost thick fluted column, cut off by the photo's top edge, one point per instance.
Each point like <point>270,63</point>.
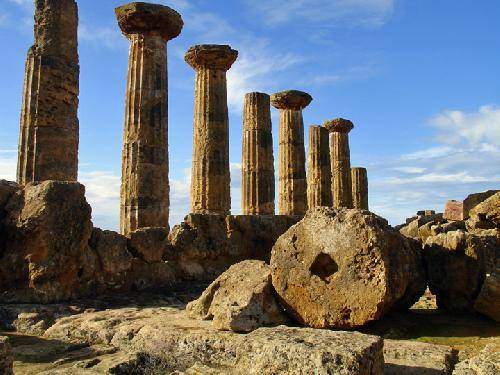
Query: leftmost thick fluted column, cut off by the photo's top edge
<point>48,140</point>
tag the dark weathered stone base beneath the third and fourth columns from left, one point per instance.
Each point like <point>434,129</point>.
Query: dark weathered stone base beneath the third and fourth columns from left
<point>204,246</point>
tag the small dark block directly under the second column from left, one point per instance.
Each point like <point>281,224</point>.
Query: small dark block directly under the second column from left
<point>149,244</point>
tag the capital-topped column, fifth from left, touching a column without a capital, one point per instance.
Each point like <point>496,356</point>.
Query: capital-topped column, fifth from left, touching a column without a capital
<point>292,184</point>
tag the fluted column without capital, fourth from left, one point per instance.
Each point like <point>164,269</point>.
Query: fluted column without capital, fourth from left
<point>257,159</point>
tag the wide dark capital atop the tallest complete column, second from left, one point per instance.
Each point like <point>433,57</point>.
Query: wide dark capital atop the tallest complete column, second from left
<point>144,18</point>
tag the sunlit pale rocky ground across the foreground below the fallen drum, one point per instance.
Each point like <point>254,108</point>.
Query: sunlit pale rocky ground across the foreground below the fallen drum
<point>152,334</point>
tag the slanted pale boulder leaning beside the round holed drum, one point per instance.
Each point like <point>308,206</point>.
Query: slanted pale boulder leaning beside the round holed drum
<point>240,300</point>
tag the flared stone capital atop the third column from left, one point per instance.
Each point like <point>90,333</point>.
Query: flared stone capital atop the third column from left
<point>211,56</point>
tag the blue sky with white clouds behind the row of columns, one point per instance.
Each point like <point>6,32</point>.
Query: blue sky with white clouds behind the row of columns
<point>419,79</point>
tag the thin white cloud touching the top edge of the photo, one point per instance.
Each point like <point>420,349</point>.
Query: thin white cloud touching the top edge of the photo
<point>326,13</point>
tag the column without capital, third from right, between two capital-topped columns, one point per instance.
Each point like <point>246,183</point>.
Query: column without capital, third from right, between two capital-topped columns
<point>319,188</point>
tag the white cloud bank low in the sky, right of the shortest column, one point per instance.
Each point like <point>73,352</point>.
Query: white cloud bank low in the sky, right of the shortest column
<point>465,160</point>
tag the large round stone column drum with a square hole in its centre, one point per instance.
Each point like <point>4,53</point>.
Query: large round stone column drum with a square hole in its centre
<point>344,268</point>
